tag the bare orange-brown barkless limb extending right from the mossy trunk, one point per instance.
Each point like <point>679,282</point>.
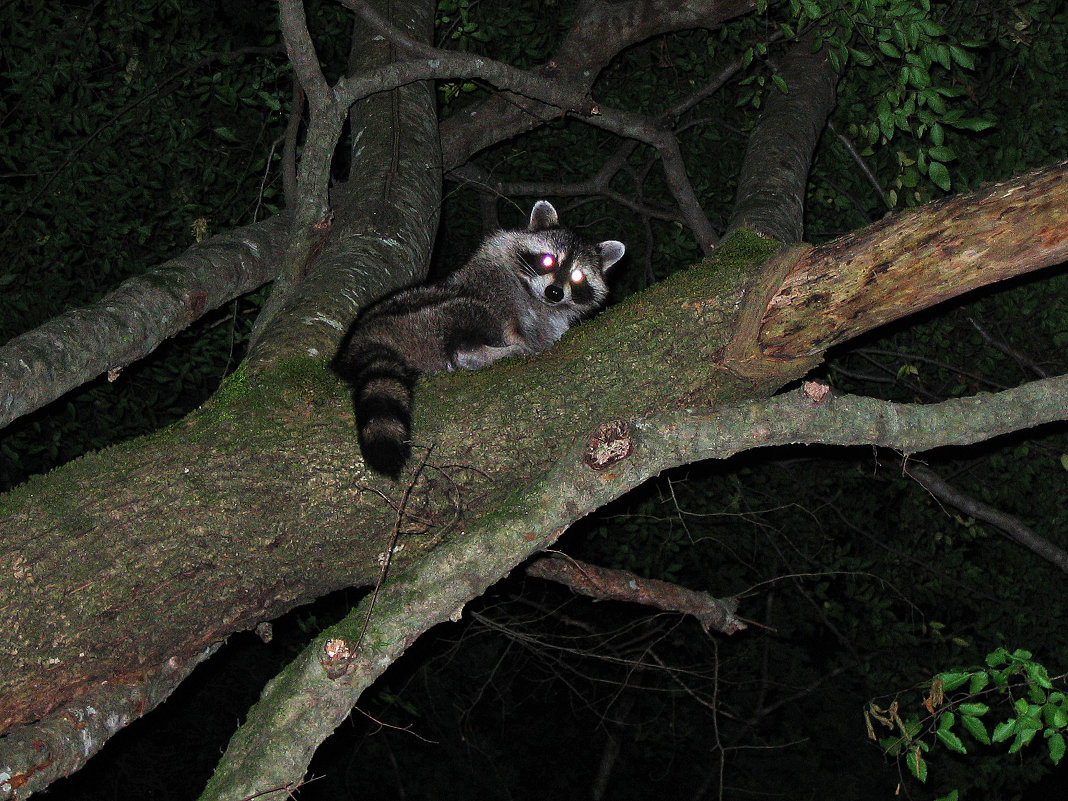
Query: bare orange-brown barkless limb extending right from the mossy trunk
<point>918,259</point>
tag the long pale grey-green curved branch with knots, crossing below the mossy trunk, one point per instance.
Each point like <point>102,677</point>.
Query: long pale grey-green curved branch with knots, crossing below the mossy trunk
<point>316,694</point>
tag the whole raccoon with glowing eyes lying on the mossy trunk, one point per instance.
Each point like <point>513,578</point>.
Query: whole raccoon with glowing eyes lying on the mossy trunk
<point>519,294</point>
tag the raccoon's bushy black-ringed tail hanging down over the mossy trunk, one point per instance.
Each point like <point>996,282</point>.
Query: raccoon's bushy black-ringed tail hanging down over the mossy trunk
<point>382,394</point>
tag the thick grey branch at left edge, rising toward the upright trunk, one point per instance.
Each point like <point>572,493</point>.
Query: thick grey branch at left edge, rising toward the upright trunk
<point>131,322</point>
